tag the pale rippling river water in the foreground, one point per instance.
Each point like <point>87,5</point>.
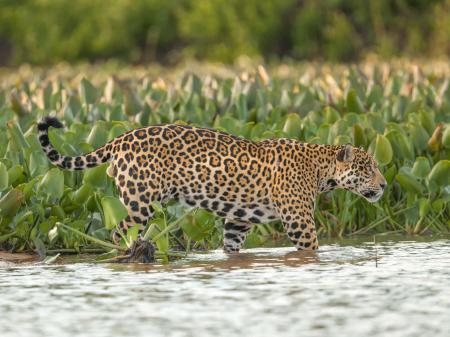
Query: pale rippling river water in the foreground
<point>398,287</point>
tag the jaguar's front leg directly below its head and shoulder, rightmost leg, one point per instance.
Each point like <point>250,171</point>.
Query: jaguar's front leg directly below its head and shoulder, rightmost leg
<point>298,221</point>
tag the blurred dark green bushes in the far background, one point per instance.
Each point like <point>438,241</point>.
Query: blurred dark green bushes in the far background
<point>42,31</point>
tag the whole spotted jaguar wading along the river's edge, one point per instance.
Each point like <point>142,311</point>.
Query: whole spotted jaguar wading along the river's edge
<point>243,181</point>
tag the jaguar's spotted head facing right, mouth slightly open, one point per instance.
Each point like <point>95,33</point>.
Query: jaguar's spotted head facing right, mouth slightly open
<point>357,171</point>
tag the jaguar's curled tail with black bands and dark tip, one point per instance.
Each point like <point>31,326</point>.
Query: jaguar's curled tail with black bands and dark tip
<point>92,159</point>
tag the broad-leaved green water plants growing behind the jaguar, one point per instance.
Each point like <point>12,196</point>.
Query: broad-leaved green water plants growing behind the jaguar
<point>400,113</point>
